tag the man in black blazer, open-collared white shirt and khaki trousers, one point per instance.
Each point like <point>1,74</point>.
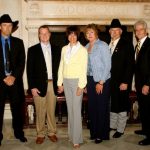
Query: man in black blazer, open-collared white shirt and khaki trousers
<point>42,65</point>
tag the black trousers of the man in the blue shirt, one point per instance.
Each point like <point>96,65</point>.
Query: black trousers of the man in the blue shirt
<point>15,96</point>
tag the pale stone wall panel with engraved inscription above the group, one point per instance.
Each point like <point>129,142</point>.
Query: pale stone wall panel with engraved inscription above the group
<point>72,9</point>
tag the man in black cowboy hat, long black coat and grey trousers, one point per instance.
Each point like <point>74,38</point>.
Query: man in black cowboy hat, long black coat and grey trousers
<point>121,76</point>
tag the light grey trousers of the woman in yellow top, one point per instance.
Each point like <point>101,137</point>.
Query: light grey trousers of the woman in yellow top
<point>74,103</point>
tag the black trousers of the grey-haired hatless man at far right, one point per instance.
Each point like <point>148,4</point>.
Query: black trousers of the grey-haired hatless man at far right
<point>144,110</point>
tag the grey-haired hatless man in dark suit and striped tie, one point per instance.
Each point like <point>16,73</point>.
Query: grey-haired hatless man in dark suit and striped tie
<point>142,78</point>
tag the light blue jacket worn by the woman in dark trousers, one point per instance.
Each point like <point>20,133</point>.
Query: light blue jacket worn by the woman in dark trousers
<point>99,61</point>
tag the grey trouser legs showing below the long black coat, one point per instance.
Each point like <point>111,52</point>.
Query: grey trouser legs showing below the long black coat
<point>118,121</point>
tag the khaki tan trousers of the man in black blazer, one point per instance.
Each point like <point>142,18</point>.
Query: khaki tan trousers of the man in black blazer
<point>45,112</point>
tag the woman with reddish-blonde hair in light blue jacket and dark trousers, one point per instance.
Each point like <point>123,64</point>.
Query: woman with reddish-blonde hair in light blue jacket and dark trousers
<point>98,84</point>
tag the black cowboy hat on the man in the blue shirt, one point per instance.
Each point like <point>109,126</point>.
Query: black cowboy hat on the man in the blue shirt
<point>6,19</point>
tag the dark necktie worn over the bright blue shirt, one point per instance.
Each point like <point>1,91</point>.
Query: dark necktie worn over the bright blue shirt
<point>7,56</point>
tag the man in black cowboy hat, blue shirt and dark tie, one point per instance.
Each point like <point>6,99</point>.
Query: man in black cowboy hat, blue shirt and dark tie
<point>12,62</point>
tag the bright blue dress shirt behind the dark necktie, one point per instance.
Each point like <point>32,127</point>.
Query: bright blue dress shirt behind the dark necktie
<point>3,46</point>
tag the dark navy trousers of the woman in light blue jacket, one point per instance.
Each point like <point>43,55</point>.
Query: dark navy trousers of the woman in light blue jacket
<point>99,109</point>
